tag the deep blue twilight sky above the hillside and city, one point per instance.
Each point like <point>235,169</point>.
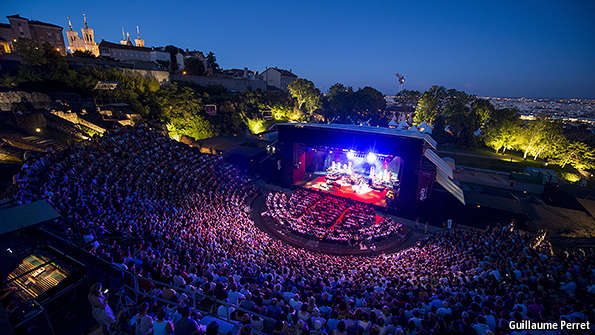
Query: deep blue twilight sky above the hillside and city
<point>498,48</point>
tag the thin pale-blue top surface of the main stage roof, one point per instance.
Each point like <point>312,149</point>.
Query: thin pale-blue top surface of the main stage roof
<point>367,129</point>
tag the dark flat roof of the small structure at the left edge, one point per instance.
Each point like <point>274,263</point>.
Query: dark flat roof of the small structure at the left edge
<point>15,218</point>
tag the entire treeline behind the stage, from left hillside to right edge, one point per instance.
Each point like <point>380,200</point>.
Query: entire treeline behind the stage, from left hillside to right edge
<point>455,116</point>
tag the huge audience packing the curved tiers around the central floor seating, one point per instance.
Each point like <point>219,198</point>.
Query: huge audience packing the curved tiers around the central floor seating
<point>183,218</point>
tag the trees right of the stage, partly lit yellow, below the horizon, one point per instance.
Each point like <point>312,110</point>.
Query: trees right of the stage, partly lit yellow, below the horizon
<point>471,121</point>
